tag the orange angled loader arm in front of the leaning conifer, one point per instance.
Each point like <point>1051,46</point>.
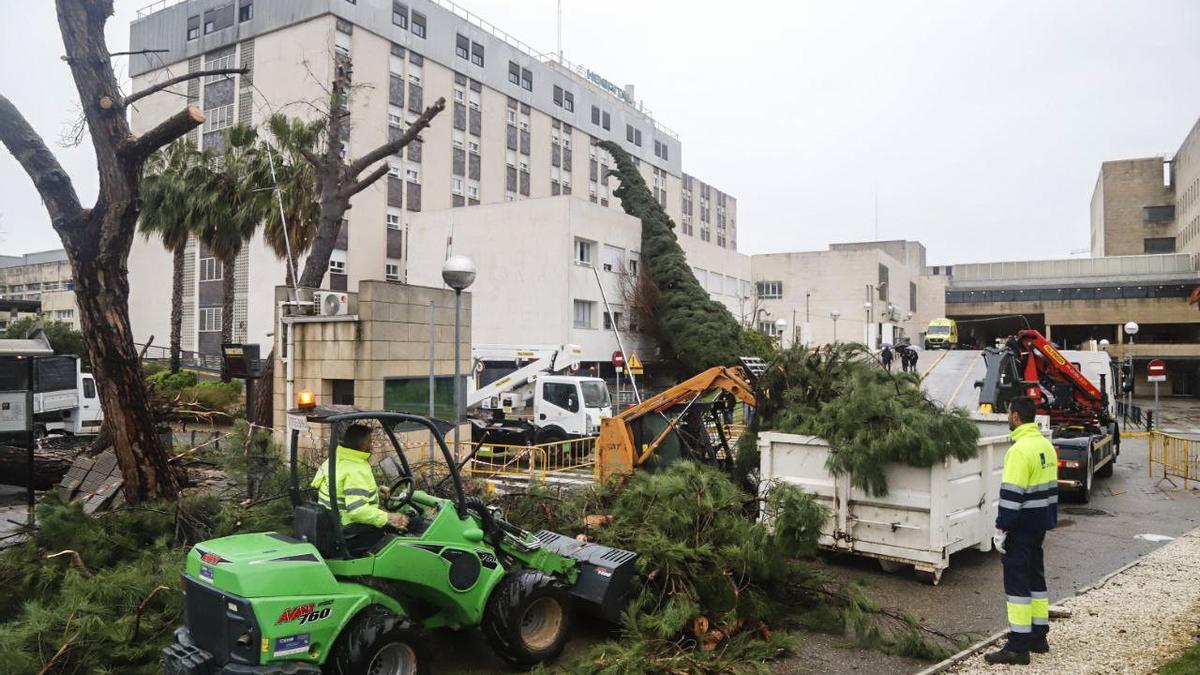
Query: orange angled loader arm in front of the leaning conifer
<point>616,447</point>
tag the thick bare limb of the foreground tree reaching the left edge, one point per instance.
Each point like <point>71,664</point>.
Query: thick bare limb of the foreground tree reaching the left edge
<point>53,184</point>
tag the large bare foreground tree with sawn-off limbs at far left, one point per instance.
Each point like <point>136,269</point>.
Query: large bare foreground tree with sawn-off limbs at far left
<point>98,238</point>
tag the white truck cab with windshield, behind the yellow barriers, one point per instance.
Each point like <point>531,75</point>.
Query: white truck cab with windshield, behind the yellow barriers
<point>571,408</point>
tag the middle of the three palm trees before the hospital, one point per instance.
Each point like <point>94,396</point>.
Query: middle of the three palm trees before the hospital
<point>230,205</point>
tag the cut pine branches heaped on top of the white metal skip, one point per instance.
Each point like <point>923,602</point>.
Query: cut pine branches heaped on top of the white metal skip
<point>871,417</point>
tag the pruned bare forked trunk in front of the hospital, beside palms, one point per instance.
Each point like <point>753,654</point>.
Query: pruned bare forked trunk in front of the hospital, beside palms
<point>338,180</point>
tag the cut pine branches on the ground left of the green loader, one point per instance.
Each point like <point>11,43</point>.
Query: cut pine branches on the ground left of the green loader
<point>87,620</point>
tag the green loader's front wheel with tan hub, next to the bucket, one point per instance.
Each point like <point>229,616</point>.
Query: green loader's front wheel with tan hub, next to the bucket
<point>529,619</point>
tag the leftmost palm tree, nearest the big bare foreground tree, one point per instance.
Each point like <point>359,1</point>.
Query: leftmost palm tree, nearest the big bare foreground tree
<point>166,212</point>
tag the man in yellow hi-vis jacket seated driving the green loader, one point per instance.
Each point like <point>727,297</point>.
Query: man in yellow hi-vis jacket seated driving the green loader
<point>364,524</point>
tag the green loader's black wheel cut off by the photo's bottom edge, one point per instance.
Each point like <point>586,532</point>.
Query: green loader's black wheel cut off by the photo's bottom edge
<point>379,643</point>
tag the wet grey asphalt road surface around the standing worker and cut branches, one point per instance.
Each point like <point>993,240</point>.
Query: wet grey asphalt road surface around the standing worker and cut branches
<point>1090,542</point>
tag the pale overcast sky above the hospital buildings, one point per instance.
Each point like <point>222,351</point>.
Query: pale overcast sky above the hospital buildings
<point>979,128</point>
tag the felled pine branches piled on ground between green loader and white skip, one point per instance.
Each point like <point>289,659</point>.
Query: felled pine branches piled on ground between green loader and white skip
<point>718,592</point>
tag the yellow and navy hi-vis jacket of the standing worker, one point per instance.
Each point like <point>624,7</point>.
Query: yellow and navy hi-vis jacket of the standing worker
<point>1029,491</point>
